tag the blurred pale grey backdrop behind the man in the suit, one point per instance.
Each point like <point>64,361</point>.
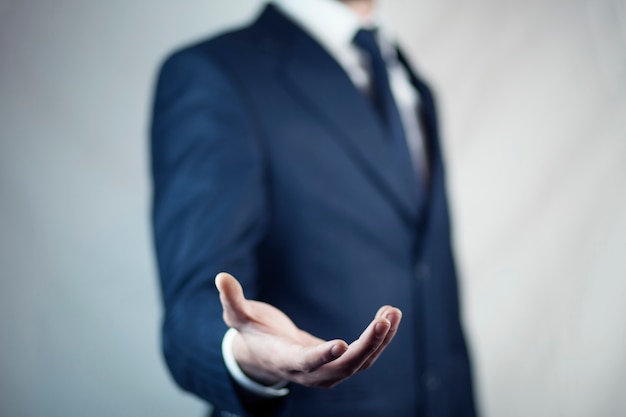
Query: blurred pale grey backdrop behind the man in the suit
<point>533,102</point>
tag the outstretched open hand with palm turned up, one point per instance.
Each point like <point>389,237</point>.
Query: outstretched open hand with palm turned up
<point>269,347</point>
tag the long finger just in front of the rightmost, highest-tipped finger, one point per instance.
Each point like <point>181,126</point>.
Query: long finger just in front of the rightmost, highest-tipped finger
<point>361,349</point>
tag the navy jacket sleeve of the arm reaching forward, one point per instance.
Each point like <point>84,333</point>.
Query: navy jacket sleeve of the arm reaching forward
<point>209,214</point>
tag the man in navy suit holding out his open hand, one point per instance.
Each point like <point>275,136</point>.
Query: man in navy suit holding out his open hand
<point>301,155</point>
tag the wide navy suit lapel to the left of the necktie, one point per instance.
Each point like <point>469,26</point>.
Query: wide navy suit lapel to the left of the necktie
<point>320,83</point>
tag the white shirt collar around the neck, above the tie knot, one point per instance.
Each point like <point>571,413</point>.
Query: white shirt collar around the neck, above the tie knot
<point>330,22</point>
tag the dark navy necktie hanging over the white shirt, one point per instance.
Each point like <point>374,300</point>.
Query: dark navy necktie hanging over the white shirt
<point>385,105</point>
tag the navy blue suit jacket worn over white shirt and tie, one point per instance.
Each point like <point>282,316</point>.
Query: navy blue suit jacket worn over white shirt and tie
<point>268,163</point>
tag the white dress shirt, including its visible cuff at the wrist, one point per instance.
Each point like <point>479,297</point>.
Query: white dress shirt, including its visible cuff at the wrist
<point>333,25</point>
